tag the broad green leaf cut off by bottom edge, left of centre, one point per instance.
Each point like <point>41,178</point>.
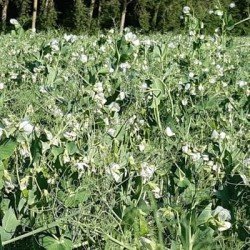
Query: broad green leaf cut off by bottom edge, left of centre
<point>50,243</point>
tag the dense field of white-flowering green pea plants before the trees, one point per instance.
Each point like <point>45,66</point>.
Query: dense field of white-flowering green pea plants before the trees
<point>124,141</point>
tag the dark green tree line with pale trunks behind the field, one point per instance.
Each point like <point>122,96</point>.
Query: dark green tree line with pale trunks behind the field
<point>146,15</point>
